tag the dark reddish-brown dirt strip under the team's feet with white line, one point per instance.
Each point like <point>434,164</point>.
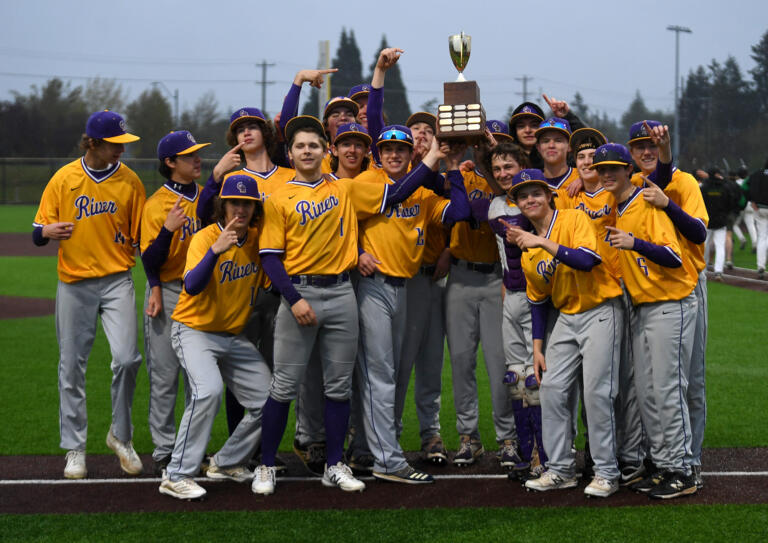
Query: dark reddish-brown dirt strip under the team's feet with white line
<point>40,488</point>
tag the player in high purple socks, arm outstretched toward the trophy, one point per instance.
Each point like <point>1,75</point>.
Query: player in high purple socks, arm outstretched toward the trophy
<point>308,246</point>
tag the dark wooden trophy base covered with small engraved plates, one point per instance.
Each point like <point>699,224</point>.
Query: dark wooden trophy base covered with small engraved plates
<point>462,116</point>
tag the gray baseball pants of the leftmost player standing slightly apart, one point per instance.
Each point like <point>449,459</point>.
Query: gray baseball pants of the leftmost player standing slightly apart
<point>78,306</point>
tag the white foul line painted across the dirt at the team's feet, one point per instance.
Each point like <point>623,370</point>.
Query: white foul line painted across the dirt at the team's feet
<point>12,482</point>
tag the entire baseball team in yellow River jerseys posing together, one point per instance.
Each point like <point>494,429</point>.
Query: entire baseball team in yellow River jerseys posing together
<point>326,261</point>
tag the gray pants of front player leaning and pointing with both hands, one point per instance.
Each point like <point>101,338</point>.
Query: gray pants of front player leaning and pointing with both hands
<point>589,344</point>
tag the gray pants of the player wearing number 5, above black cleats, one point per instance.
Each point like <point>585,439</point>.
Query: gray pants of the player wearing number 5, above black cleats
<point>662,338</point>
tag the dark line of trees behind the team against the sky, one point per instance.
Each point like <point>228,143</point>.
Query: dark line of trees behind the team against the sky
<point>723,112</point>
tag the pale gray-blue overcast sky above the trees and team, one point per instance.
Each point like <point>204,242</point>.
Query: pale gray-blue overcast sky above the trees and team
<point>604,50</point>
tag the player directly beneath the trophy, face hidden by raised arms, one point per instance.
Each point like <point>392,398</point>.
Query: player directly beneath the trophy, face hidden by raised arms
<point>472,300</point>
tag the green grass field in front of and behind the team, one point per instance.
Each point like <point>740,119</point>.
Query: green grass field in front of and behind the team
<point>736,372</point>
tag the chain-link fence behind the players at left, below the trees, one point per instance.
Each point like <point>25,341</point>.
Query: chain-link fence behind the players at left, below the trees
<point>22,180</point>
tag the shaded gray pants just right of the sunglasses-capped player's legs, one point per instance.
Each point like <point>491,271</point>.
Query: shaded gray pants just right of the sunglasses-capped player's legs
<point>424,348</point>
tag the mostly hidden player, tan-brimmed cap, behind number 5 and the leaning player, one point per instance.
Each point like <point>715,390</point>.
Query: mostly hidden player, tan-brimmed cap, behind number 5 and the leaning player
<point>597,204</point>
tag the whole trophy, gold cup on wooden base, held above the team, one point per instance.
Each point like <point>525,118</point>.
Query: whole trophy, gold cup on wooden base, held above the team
<point>461,117</point>
